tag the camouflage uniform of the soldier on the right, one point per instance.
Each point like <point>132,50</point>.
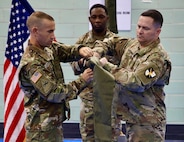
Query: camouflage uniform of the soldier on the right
<point>140,80</point>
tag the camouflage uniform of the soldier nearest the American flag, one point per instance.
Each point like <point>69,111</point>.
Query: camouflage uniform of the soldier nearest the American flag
<point>41,79</point>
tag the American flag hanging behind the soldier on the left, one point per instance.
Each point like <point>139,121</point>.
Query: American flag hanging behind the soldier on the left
<point>14,115</point>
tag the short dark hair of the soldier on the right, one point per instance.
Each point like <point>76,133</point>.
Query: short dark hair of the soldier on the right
<point>155,14</point>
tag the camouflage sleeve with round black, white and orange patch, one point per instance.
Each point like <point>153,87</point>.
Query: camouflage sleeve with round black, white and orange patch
<point>145,75</point>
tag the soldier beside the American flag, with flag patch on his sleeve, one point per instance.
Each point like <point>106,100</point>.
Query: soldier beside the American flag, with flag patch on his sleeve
<point>41,79</point>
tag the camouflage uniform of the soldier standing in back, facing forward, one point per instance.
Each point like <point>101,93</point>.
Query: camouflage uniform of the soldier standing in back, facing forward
<point>86,114</point>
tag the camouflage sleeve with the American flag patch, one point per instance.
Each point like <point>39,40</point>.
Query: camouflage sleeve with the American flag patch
<point>48,87</point>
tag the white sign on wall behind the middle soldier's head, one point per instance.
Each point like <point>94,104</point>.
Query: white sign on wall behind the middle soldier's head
<point>123,13</point>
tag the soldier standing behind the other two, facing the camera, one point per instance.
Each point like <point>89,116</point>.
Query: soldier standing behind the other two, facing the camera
<point>98,19</point>
